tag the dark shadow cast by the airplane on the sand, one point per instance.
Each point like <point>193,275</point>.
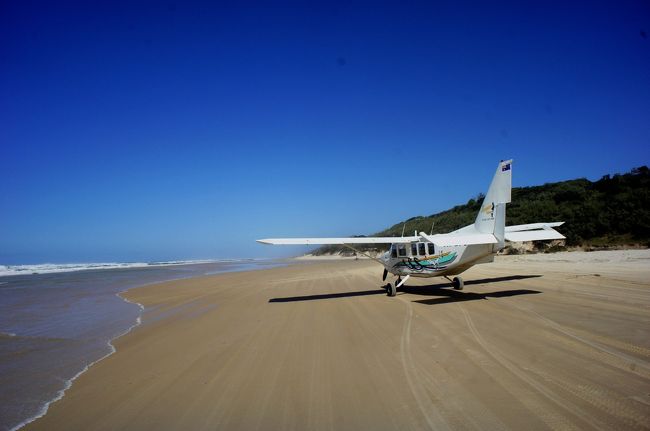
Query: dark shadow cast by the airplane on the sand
<point>443,292</point>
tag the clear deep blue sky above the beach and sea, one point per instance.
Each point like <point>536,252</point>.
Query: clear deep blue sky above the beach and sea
<point>185,130</point>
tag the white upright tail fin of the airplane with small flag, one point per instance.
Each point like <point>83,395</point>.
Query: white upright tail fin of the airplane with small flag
<point>491,217</point>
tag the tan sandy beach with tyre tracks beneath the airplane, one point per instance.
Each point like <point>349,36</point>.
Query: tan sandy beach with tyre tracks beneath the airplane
<point>559,341</point>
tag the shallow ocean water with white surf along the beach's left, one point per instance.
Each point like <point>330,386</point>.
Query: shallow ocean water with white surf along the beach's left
<point>56,320</point>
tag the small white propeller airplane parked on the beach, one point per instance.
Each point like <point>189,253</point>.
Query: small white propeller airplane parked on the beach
<point>444,255</point>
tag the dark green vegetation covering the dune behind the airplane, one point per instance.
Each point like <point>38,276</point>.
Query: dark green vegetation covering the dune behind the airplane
<point>614,210</point>
